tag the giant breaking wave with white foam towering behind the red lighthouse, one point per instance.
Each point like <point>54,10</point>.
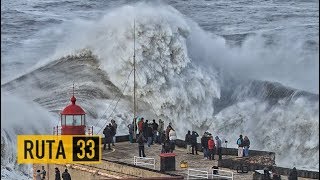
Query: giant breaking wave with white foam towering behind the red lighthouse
<point>175,82</point>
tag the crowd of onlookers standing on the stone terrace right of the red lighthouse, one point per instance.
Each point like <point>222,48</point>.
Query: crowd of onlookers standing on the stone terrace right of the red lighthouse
<point>149,133</point>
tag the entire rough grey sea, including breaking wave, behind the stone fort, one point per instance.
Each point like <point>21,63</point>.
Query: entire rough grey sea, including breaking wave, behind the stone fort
<point>228,67</point>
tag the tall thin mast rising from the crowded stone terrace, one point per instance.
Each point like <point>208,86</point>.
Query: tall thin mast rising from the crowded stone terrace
<point>134,78</point>
